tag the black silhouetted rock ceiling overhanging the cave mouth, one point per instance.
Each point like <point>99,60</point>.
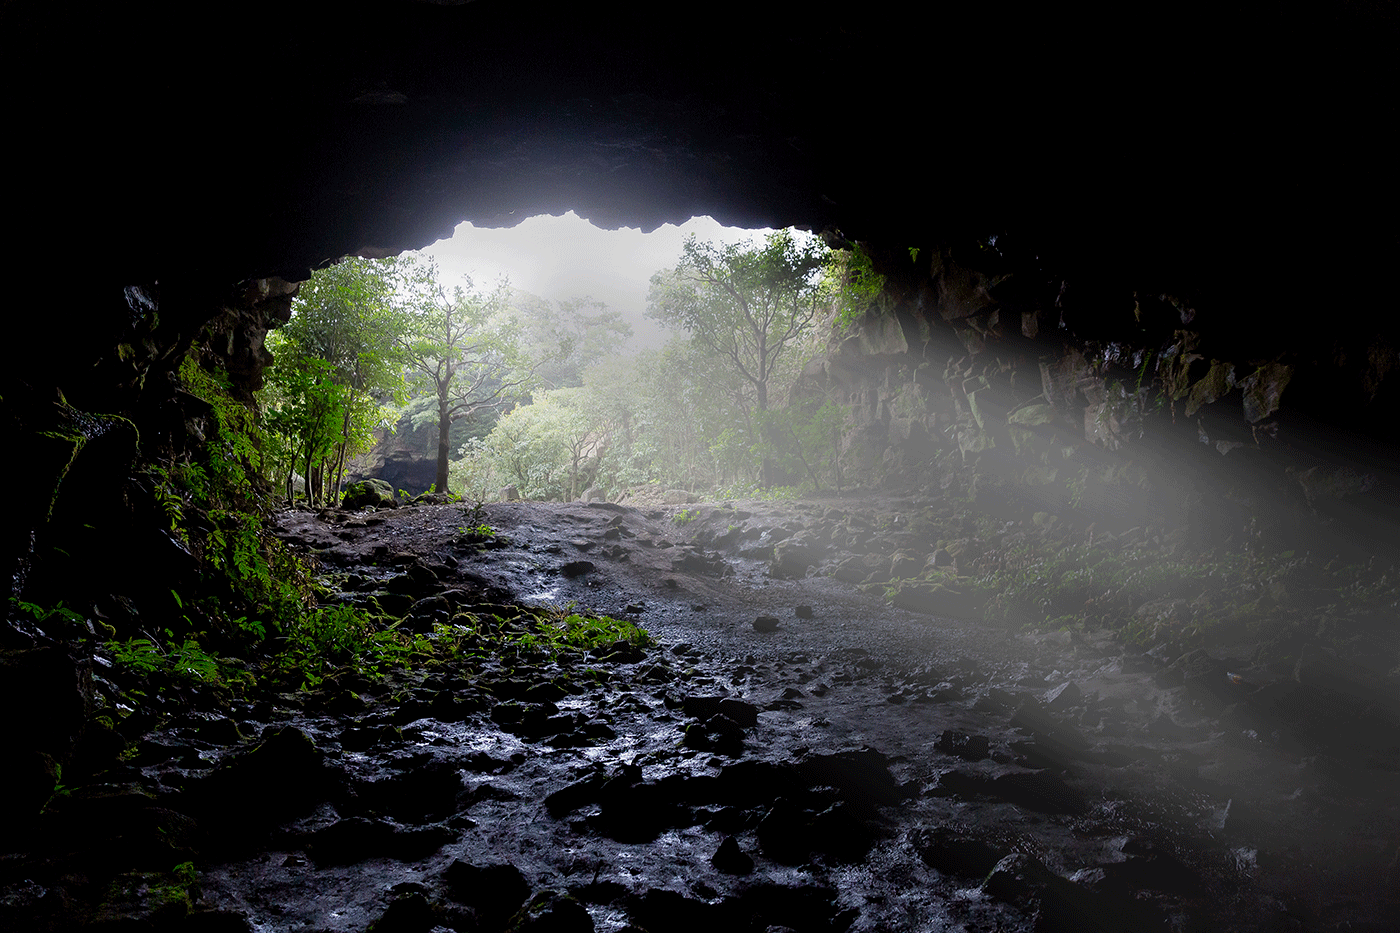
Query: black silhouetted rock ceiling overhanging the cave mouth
<point>1235,156</point>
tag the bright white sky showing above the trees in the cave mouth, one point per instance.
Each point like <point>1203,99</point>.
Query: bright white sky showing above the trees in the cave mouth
<point>565,257</point>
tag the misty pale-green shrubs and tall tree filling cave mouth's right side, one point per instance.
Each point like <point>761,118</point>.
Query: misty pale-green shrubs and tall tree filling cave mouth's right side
<point>720,407</point>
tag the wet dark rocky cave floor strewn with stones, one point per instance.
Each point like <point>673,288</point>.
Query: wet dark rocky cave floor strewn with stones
<point>848,767</point>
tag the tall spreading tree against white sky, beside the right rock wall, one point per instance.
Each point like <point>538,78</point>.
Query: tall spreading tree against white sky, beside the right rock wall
<point>747,305</point>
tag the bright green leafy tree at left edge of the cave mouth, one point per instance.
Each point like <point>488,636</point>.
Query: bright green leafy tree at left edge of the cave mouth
<point>335,365</point>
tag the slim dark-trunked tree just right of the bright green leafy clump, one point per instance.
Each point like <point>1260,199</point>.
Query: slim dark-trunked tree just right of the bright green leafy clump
<point>464,357</point>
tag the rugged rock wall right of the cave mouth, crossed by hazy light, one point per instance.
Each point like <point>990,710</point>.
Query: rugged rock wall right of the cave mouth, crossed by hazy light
<point>983,373</point>
